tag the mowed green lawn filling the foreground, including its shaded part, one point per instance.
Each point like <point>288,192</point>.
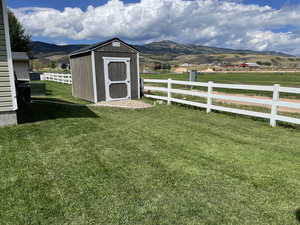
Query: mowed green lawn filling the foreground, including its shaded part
<point>164,165</point>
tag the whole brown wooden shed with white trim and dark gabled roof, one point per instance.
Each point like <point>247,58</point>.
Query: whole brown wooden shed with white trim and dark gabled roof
<point>106,71</point>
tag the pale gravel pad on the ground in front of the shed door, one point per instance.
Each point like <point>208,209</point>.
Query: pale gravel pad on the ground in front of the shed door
<point>127,104</point>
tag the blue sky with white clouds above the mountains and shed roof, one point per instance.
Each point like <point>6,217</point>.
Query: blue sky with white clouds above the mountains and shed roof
<point>238,24</point>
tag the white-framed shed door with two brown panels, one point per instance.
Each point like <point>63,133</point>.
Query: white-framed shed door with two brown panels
<point>117,78</point>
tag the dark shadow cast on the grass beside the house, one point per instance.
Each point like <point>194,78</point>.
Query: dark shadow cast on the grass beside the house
<point>42,111</point>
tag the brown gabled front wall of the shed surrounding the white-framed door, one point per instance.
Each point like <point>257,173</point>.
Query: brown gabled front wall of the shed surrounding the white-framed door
<point>121,52</point>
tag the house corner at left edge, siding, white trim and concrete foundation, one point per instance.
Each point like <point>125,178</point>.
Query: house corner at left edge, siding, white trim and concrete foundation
<point>8,103</point>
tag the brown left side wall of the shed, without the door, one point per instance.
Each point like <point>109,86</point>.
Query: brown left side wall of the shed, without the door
<point>82,78</point>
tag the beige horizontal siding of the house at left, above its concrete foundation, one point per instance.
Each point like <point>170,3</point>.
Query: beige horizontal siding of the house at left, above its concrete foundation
<point>6,99</point>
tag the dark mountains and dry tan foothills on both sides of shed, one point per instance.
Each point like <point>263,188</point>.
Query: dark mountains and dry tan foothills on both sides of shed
<point>170,54</point>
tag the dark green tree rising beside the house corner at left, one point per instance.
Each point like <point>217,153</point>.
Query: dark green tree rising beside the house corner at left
<point>20,41</point>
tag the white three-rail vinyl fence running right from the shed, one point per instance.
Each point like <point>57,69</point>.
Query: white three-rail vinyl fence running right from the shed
<point>274,103</point>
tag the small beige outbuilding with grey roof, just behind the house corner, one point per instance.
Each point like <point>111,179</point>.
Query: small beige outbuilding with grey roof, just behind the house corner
<point>21,65</point>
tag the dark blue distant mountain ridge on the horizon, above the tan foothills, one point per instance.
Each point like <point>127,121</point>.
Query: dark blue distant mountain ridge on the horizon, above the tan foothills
<point>41,49</point>
